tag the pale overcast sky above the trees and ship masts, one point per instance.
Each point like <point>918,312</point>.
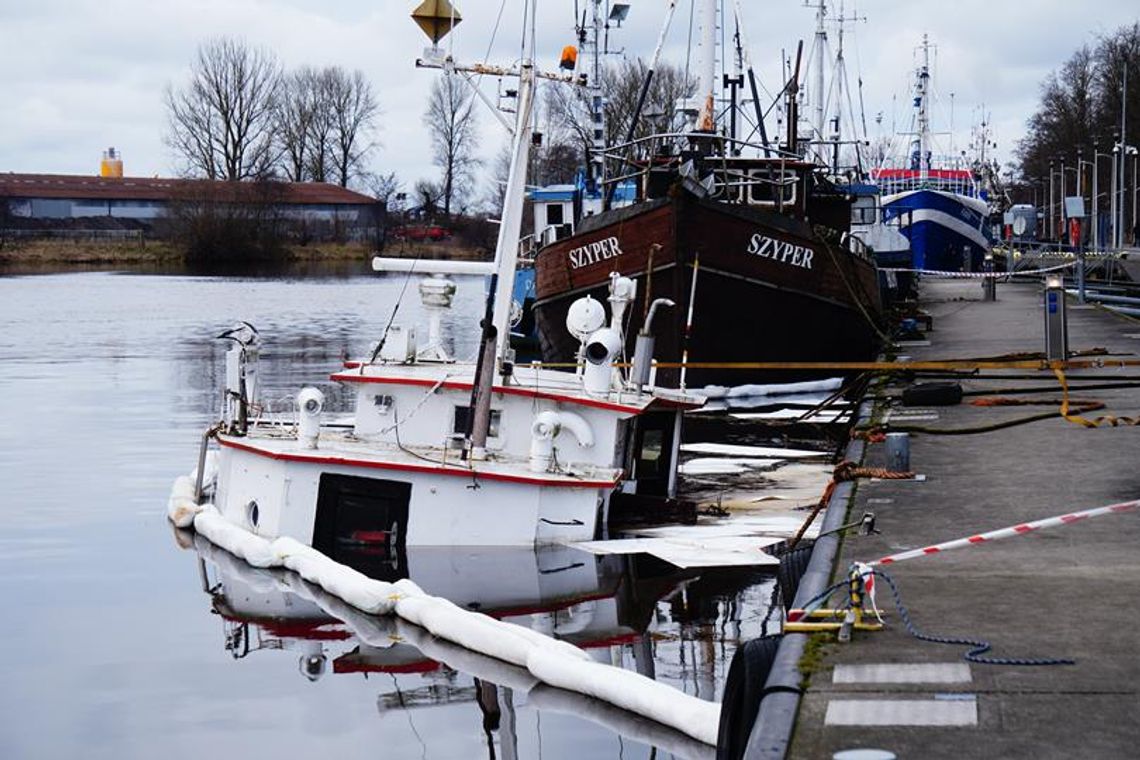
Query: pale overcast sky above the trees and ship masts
<point>80,76</point>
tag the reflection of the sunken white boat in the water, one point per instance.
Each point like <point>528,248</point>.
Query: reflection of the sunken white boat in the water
<point>637,612</point>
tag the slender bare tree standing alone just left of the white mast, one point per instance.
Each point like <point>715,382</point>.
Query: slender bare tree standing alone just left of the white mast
<point>451,122</point>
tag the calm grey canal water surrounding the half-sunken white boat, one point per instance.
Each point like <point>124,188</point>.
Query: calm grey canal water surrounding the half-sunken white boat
<point>115,649</point>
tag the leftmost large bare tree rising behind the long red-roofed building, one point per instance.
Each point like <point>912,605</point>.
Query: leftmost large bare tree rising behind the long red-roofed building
<point>222,122</point>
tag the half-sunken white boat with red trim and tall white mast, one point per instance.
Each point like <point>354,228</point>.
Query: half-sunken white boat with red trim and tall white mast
<point>444,453</point>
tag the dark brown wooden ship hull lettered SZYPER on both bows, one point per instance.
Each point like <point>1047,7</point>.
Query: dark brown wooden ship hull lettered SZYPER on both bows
<point>769,289</point>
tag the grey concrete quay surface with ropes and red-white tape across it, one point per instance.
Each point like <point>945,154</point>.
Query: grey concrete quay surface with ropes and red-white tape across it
<point>1070,592</point>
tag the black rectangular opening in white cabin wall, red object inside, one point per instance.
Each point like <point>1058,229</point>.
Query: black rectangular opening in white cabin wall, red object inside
<point>363,522</point>
